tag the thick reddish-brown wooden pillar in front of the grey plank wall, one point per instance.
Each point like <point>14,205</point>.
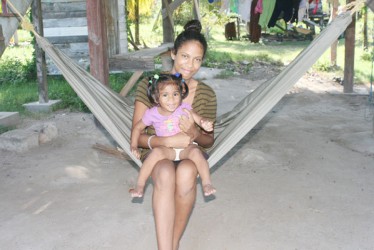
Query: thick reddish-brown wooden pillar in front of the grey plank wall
<point>97,40</point>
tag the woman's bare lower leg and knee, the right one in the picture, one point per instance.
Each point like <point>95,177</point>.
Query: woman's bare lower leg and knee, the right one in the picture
<point>185,195</point>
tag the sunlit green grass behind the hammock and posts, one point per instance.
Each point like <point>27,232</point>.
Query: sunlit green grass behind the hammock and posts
<point>18,84</point>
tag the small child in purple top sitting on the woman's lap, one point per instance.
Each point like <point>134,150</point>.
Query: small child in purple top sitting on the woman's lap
<point>166,92</point>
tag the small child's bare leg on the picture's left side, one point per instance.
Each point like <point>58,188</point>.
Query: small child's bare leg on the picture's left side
<point>157,154</point>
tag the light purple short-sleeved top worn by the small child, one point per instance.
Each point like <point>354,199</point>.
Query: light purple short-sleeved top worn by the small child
<point>165,125</point>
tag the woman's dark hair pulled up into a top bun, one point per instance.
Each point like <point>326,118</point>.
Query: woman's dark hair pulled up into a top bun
<point>192,32</point>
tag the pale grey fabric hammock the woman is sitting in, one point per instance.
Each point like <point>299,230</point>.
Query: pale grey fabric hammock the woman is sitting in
<point>115,112</point>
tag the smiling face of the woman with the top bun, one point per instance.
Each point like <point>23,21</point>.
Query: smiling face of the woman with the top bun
<point>188,59</point>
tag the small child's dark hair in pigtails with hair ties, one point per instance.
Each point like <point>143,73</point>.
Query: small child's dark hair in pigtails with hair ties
<point>158,82</point>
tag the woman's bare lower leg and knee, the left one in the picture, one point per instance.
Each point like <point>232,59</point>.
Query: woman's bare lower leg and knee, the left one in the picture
<point>163,176</point>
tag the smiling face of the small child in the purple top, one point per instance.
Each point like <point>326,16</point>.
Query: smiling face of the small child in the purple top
<point>169,99</point>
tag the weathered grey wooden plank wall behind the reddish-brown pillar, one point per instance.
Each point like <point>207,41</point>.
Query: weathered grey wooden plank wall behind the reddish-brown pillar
<point>65,26</point>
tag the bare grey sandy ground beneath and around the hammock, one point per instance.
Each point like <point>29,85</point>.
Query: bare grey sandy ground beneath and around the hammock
<point>303,178</point>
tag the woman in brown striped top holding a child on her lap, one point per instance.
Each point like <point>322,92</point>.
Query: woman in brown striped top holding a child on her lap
<point>174,183</point>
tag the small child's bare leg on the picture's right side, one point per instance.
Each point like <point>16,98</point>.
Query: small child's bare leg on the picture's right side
<point>196,155</point>
